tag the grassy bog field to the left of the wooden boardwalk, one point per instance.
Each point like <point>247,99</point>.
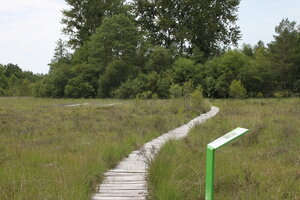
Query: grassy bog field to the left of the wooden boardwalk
<point>51,152</point>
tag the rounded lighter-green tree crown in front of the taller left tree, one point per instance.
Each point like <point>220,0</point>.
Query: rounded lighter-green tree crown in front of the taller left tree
<point>115,39</point>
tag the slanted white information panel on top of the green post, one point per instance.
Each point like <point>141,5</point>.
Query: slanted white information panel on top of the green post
<point>232,135</point>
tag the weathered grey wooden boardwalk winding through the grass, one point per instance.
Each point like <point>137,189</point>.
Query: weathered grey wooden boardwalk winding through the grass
<point>127,181</point>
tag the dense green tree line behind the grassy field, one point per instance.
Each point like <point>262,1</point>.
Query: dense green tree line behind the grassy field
<point>166,49</point>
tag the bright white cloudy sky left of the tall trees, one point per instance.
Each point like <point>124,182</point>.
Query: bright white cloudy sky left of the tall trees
<point>29,29</point>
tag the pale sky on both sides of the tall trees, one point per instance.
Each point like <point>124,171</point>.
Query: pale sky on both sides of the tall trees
<point>30,28</point>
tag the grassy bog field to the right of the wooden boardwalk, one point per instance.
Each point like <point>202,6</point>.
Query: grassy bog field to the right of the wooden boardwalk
<point>262,165</point>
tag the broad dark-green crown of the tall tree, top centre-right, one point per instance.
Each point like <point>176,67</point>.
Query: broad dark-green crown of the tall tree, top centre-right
<point>207,25</point>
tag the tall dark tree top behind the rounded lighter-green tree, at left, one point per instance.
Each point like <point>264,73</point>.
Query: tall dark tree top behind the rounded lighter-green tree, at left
<point>82,18</point>
